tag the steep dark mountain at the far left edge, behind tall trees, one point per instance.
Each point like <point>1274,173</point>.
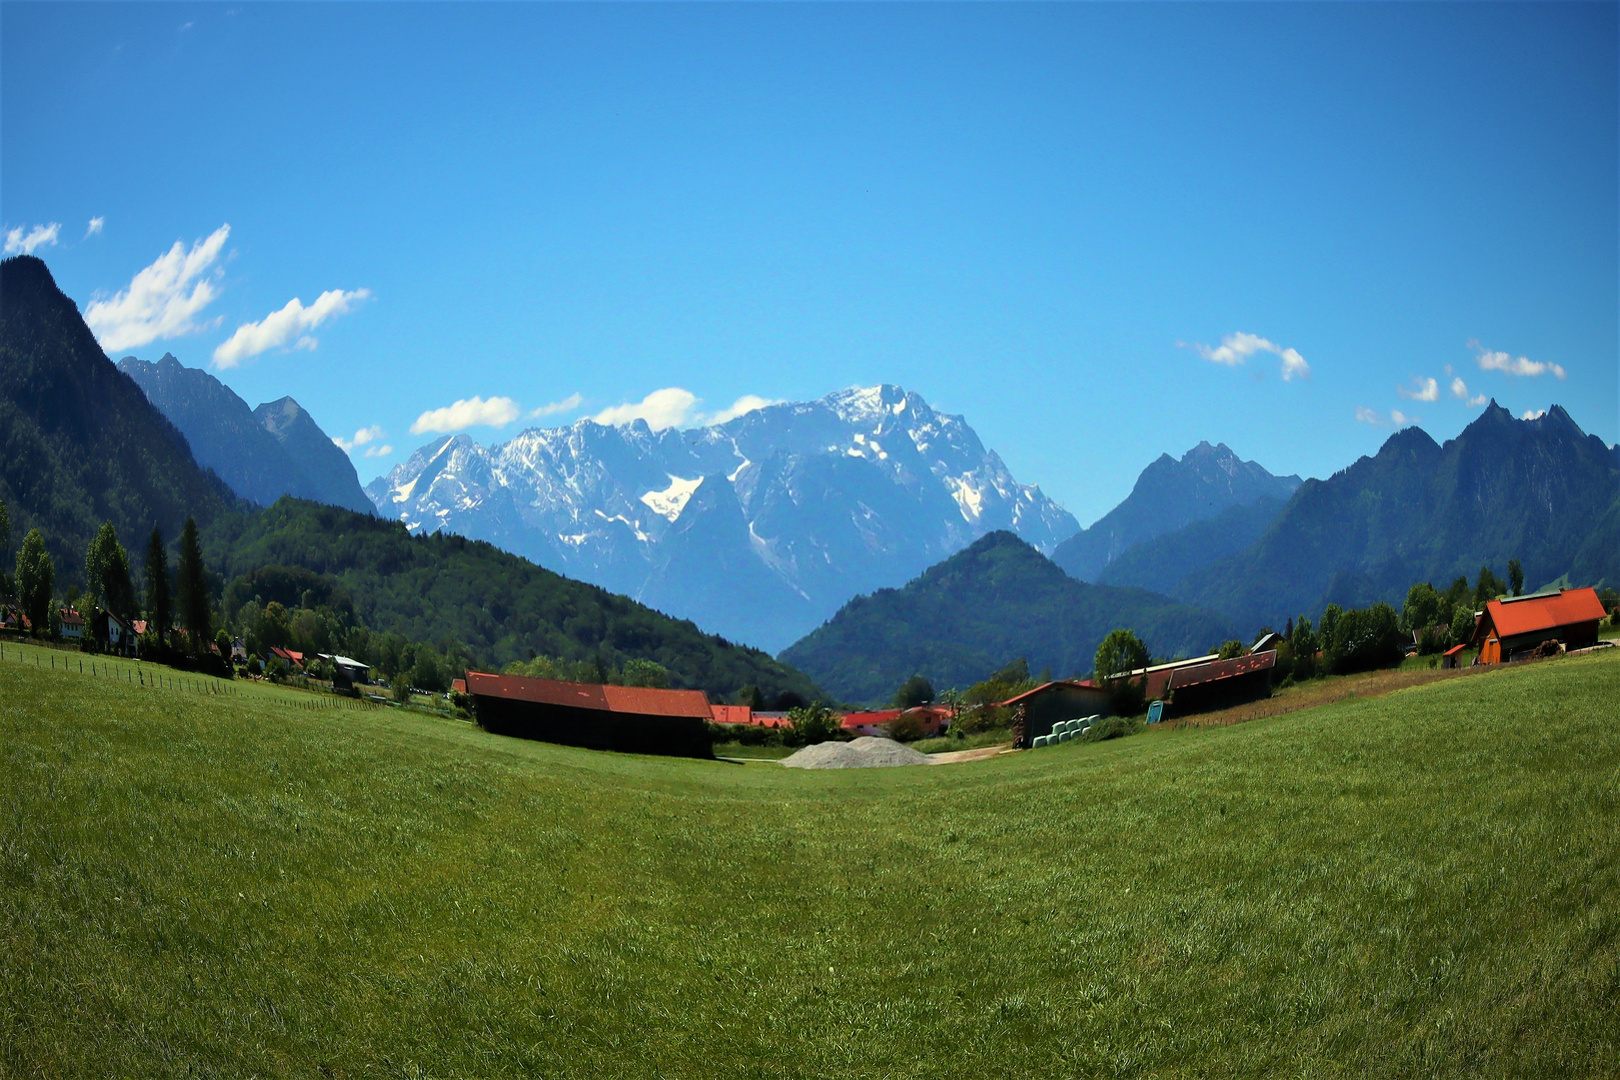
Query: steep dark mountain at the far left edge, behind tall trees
<point>80,444</point>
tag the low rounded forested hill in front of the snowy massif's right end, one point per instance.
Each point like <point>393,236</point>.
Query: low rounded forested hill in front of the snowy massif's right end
<point>992,603</point>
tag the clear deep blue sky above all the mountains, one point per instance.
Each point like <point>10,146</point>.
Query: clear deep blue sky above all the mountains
<point>1099,232</point>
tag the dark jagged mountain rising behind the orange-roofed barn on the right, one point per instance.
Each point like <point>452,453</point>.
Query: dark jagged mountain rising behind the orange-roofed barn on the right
<point>1503,490</point>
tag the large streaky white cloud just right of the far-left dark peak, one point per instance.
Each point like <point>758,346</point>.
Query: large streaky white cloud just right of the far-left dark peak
<point>163,300</point>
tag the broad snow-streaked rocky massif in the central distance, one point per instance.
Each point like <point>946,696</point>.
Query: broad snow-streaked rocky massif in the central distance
<point>757,529</point>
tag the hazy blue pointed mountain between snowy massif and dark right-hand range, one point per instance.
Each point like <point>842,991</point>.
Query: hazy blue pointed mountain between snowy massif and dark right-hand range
<point>1169,496</point>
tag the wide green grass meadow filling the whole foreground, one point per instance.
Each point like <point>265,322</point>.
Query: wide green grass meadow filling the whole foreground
<point>1425,883</point>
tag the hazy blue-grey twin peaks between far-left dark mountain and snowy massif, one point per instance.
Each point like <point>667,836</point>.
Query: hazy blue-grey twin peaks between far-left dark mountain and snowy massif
<point>263,454</point>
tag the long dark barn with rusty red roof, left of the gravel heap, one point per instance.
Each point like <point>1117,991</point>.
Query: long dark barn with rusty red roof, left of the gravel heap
<point>631,720</point>
